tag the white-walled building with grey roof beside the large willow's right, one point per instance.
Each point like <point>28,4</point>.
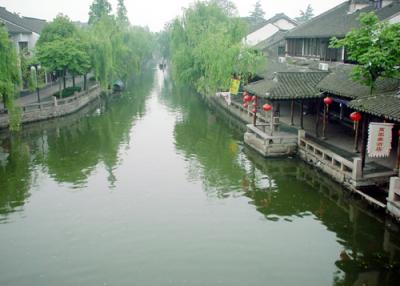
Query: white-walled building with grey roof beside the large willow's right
<point>270,34</point>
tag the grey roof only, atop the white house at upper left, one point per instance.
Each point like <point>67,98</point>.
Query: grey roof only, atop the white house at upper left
<point>17,24</point>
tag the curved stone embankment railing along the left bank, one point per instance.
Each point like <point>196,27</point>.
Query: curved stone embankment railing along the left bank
<point>55,108</point>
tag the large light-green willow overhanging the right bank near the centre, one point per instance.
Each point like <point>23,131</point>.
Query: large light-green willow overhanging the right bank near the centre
<point>206,47</point>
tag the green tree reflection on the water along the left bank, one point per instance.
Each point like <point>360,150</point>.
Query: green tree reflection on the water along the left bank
<point>70,148</point>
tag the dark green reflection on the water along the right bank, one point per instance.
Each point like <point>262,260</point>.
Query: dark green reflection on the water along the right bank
<point>285,191</point>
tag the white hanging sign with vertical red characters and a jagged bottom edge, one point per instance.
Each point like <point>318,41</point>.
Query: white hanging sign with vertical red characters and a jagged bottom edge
<point>379,140</point>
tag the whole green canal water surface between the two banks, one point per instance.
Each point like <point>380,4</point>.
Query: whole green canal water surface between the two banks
<point>150,187</point>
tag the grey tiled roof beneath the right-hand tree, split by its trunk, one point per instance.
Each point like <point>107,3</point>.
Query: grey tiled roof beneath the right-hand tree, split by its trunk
<point>339,82</point>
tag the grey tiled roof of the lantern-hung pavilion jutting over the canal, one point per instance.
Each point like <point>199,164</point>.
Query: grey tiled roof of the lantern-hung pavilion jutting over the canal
<point>288,85</point>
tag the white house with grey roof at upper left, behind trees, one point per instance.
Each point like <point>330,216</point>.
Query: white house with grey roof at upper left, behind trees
<point>23,31</point>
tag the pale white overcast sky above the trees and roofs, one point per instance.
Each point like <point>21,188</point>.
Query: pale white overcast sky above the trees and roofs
<point>155,13</point>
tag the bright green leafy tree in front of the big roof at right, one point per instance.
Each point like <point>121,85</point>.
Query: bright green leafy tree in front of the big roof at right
<point>375,47</point>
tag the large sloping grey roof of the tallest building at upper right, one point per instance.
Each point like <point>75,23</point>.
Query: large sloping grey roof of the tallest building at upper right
<point>337,22</point>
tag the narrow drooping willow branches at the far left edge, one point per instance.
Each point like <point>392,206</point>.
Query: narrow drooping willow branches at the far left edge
<point>9,78</point>
